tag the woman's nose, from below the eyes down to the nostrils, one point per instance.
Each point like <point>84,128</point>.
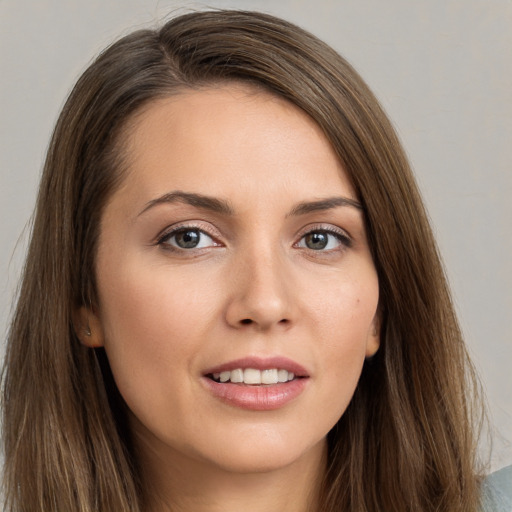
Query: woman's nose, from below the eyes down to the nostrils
<point>262,292</point>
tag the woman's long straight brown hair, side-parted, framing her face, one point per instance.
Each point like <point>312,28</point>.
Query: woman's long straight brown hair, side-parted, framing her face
<point>407,439</point>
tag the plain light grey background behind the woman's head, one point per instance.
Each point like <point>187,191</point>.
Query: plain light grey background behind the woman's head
<point>441,68</point>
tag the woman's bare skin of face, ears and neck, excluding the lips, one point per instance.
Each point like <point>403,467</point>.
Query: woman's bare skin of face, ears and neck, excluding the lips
<point>252,288</point>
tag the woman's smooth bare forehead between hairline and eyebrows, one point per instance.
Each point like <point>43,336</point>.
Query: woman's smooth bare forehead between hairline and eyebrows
<point>222,139</point>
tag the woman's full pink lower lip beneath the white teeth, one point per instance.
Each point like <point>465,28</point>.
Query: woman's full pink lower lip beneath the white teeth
<point>257,398</point>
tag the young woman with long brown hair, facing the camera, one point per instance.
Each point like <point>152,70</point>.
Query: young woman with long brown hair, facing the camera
<point>232,298</point>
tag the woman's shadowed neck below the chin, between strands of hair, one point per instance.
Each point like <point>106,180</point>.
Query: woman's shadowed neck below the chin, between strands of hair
<point>176,483</point>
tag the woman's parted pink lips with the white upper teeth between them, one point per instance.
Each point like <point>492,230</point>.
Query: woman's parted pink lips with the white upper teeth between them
<point>256,383</point>
